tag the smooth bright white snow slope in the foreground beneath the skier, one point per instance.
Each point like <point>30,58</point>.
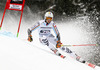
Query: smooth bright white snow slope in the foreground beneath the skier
<point>17,54</point>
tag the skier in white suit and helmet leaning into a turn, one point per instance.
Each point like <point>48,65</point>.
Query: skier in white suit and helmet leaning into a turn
<point>46,36</point>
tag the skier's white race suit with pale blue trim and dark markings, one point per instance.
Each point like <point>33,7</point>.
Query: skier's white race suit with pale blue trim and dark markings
<point>47,37</point>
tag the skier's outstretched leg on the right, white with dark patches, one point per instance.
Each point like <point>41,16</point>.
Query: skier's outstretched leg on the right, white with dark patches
<point>72,54</point>
